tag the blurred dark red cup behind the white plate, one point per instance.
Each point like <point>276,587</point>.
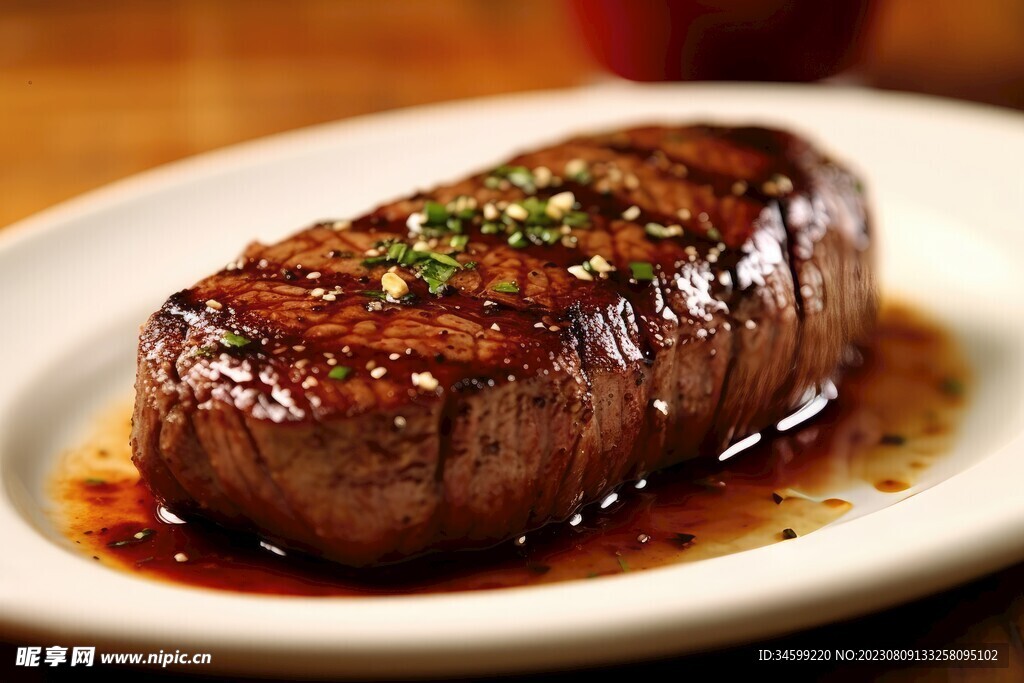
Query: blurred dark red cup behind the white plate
<point>750,40</point>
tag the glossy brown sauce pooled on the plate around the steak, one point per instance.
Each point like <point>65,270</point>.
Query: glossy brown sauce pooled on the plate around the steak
<point>897,413</point>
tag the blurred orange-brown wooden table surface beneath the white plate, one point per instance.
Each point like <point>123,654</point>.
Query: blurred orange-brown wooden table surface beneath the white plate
<point>93,93</point>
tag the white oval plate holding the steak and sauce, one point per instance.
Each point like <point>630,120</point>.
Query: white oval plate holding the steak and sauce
<point>949,189</point>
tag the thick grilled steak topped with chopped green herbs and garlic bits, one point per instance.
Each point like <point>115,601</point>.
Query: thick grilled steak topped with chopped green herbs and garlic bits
<point>468,364</point>
